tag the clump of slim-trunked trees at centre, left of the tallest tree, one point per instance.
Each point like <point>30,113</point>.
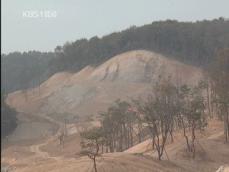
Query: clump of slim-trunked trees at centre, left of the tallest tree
<point>118,126</point>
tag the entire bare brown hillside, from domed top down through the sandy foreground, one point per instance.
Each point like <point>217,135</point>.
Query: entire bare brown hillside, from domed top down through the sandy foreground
<point>73,97</point>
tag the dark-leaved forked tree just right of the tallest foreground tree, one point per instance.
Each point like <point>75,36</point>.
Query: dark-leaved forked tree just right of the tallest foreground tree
<point>191,114</point>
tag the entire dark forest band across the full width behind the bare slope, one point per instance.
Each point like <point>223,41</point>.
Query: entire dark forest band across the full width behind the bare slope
<point>194,43</point>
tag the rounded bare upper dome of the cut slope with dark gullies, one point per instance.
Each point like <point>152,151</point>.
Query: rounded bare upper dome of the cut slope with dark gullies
<point>142,66</point>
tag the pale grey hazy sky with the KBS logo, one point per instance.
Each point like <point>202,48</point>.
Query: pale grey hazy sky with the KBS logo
<point>69,20</point>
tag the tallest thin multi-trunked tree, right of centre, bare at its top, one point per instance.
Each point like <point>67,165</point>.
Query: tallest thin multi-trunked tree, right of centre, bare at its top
<point>159,111</point>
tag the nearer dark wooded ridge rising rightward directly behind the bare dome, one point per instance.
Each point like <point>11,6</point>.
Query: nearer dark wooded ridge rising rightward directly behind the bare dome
<point>194,43</point>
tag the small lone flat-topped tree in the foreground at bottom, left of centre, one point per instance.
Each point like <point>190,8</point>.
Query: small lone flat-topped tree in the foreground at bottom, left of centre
<point>90,144</point>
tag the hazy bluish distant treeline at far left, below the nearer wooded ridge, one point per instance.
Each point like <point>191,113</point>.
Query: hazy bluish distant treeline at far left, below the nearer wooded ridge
<point>24,70</point>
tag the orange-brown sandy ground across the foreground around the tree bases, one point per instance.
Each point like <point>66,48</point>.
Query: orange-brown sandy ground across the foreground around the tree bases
<point>212,153</point>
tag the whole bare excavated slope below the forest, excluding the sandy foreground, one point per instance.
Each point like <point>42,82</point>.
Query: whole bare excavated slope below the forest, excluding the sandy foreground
<point>131,74</point>
